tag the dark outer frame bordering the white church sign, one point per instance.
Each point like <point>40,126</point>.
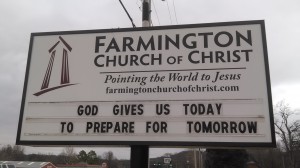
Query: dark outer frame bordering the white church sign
<point>152,143</point>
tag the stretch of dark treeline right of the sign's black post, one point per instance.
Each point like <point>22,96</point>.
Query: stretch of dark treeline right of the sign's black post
<point>241,158</point>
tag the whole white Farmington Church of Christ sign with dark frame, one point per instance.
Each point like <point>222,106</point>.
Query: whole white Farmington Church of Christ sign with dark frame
<point>205,84</point>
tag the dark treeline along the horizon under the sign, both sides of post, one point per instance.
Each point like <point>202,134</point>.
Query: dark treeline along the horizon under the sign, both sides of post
<point>262,158</point>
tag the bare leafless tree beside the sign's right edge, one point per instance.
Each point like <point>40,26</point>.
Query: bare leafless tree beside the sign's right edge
<point>287,128</point>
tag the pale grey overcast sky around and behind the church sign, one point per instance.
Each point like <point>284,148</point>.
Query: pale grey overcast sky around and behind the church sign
<point>18,18</point>
